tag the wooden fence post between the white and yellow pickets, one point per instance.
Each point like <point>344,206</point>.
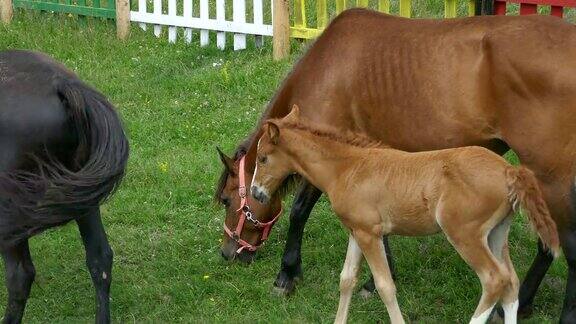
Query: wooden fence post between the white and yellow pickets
<point>281,29</point>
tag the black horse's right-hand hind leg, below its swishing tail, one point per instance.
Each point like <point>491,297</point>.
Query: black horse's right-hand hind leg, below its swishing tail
<point>99,261</point>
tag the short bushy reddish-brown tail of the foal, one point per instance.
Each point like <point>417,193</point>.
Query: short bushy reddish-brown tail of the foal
<point>525,192</point>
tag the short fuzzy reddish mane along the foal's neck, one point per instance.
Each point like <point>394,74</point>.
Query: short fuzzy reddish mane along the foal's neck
<point>334,134</point>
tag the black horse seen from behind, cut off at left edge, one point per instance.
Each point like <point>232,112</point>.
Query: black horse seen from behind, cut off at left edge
<point>63,151</point>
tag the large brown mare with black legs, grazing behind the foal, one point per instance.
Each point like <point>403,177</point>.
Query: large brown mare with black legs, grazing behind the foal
<point>498,82</point>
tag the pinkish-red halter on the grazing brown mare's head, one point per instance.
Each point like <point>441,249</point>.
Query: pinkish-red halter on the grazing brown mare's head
<point>246,214</point>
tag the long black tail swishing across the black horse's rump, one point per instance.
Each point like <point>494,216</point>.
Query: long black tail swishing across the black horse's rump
<point>58,191</point>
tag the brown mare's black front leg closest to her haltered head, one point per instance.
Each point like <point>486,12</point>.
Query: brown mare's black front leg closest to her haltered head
<point>291,268</point>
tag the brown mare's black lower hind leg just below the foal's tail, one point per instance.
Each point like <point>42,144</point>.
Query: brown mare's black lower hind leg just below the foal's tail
<point>532,281</point>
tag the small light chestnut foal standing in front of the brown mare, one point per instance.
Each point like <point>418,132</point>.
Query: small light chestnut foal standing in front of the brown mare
<point>469,193</point>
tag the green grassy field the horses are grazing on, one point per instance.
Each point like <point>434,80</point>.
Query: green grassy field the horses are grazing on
<point>178,103</point>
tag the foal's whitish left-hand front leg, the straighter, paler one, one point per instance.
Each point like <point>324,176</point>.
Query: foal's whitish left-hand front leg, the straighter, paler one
<point>348,278</point>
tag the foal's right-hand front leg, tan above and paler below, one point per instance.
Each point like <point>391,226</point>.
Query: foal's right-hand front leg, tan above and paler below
<point>375,255</point>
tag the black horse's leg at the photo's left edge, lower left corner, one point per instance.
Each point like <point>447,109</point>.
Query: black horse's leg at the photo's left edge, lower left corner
<point>20,274</point>
